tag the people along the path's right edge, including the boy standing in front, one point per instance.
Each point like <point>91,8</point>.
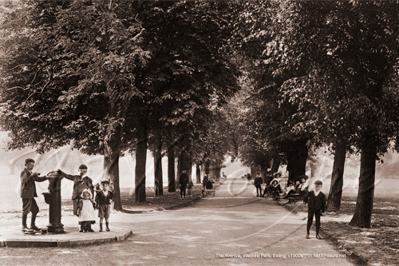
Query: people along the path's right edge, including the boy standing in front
<point>315,199</point>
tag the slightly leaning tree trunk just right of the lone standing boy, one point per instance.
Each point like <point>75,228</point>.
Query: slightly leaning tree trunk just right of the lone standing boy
<point>337,176</point>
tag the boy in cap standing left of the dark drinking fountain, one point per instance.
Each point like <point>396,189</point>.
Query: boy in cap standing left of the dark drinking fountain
<point>28,194</point>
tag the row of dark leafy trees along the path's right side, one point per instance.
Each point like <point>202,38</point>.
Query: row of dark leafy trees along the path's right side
<point>323,73</point>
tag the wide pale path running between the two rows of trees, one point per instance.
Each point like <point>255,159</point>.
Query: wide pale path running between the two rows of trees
<point>232,228</point>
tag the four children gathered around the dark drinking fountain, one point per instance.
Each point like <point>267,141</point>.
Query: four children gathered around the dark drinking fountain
<point>84,201</point>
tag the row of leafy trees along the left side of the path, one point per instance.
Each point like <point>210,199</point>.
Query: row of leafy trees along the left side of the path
<point>110,77</point>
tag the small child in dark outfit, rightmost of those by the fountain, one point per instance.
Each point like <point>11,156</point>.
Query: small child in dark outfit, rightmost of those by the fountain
<point>103,200</point>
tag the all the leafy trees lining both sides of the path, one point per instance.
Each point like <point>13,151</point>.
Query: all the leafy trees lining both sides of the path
<point>120,76</point>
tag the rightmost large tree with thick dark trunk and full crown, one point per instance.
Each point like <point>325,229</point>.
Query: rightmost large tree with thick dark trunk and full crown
<point>347,55</point>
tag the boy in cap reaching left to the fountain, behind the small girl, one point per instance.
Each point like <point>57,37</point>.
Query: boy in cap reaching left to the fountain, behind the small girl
<point>80,183</point>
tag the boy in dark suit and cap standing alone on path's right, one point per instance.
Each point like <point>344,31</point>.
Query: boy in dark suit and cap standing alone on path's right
<point>316,205</point>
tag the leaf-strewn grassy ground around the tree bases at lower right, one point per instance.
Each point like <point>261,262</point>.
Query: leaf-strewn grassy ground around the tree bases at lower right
<point>378,245</point>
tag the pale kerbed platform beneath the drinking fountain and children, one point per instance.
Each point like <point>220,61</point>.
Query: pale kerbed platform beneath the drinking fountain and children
<point>121,225</point>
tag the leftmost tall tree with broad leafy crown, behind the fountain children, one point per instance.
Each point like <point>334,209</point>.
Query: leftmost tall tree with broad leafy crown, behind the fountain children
<point>64,61</point>
